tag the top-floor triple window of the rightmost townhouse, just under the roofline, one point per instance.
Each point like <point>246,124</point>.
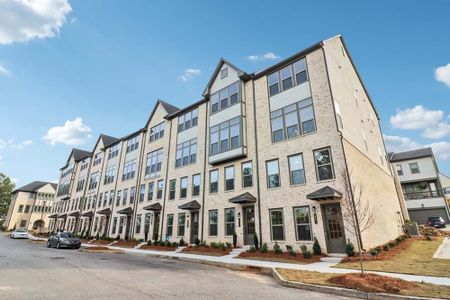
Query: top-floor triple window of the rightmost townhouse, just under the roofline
<point>287,77</point>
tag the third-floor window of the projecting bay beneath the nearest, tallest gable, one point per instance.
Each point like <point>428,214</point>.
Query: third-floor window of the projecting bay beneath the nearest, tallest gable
<point>225,136</point>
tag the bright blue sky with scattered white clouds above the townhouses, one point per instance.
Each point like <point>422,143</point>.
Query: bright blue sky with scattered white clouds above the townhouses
<point>71,70</point>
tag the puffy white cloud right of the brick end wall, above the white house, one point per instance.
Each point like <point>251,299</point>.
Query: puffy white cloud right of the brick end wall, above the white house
<point>417,117</point>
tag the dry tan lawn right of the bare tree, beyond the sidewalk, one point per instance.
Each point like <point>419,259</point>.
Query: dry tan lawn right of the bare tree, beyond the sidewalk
<point>417,259</point>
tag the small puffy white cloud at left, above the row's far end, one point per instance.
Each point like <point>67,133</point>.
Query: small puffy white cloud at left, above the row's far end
<point>71,133</point>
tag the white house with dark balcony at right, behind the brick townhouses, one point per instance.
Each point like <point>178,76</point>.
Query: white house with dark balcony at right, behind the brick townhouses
<point>421,185</point>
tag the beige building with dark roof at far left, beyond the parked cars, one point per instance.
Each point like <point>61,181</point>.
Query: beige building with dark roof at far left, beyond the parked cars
<point>30,206</point>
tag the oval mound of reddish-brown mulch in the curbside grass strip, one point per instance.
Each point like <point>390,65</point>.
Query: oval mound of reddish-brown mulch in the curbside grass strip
<point>372,283</point>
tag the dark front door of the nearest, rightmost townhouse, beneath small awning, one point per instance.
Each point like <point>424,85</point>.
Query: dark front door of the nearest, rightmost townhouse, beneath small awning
<point>334,229</point>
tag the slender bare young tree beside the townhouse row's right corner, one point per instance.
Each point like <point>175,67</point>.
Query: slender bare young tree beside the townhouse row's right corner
<point>358,215</point>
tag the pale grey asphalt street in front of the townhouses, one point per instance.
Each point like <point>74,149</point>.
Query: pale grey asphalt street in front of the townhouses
<point>29,270</point>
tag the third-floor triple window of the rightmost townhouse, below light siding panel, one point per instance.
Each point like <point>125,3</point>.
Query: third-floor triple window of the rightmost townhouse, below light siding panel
<point>293,120</point>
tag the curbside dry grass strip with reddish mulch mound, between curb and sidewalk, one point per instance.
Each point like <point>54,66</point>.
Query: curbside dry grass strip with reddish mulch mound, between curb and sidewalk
<point>370,283</point>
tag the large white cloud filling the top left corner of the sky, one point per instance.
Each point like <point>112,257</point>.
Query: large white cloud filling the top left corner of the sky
<point>24,20</point>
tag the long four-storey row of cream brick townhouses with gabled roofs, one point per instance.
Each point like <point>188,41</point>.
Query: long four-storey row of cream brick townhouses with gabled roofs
<point>260,154</point>
